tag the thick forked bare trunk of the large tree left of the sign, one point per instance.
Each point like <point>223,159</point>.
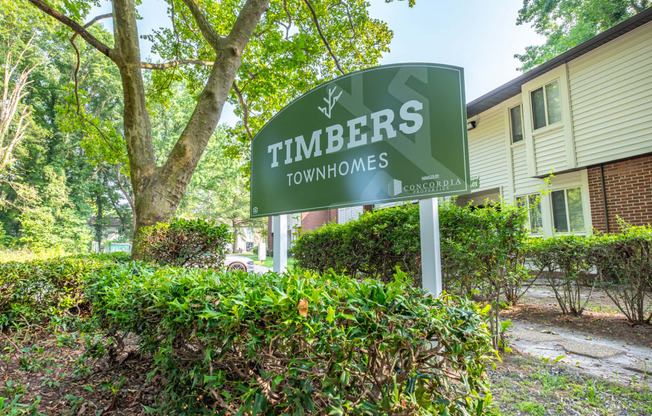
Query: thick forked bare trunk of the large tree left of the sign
<point>158,190</point>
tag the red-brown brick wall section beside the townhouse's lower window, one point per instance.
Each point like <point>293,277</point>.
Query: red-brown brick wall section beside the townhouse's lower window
<point>628,185</point>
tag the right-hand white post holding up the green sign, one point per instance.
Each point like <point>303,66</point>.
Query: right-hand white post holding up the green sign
<point>430,246</point>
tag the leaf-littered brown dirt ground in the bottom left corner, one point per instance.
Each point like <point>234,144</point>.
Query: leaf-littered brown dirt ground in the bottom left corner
<point>47,373</point>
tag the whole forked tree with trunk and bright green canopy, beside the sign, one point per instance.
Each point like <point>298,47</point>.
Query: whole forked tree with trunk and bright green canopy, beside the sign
<point>291,43</point>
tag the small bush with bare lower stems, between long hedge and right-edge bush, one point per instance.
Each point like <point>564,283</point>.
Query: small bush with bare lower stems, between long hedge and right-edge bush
<point>565,262</point>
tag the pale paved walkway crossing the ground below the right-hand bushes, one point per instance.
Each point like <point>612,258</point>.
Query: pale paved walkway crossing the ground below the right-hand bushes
<point>590,354</point>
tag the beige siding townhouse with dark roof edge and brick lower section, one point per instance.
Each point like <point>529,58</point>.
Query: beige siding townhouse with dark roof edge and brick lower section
<point>586,116</point>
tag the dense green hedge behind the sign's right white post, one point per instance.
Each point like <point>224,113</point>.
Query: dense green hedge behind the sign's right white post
<point>477,244</point>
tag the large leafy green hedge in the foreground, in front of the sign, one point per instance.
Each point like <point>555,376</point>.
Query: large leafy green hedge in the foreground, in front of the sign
<point>299,343</point>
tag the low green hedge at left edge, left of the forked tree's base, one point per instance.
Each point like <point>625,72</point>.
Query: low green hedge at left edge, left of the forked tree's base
<point>40,290</point>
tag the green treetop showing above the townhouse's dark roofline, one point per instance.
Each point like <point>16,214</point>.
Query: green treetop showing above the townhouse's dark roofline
<point>566,24</point>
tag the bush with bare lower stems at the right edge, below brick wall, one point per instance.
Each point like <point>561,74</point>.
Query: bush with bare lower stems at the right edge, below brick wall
<point>624,263</point>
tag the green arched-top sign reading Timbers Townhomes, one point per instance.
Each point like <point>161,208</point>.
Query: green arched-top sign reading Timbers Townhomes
<point>389,133</point>
